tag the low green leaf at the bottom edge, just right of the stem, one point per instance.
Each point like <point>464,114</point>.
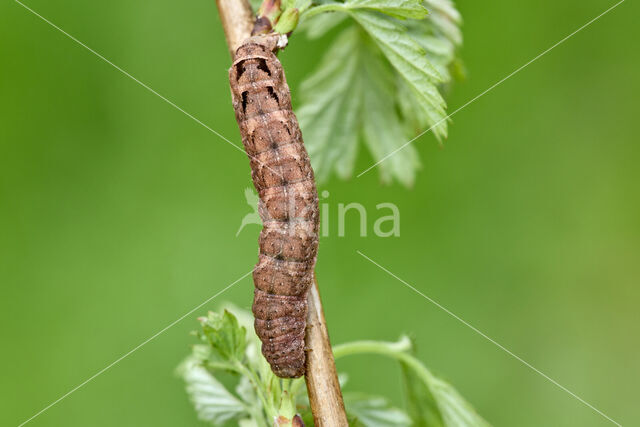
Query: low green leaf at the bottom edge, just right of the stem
<point>373,411</point>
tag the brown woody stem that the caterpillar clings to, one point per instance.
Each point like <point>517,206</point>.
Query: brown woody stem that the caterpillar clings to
<point>323,387</point>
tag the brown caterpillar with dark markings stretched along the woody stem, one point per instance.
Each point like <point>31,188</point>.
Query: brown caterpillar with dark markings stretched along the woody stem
<point>282,174</point>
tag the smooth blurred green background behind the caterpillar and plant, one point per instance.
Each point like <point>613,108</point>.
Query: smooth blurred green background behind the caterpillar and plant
<point>118,214</point>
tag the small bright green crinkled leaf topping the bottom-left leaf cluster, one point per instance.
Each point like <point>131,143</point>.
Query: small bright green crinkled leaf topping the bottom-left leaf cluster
<point>226,337</point>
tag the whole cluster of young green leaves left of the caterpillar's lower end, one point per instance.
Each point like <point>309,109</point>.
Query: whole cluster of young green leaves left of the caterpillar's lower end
<point>226,348</point>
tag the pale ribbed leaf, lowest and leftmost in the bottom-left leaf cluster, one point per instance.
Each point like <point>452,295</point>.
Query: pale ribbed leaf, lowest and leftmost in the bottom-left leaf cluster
<point>212,401</point>
